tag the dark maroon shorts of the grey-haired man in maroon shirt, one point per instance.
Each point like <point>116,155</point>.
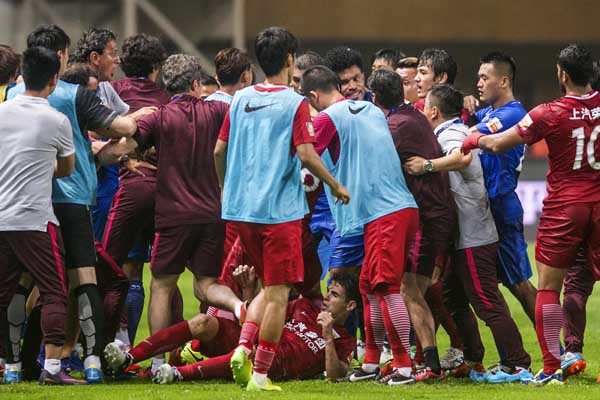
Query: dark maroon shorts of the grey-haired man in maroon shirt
<point>199,247</point>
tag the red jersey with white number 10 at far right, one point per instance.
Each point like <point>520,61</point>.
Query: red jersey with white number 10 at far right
<point>570,126</point>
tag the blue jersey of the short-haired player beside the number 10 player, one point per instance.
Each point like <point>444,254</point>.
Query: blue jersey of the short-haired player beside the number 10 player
<point>501,171</point>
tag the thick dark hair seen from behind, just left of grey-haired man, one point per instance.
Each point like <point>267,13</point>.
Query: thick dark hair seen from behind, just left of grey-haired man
<point>141,54</point>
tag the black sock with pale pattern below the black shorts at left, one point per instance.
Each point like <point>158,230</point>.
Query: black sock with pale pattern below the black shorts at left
<point>91,318</point>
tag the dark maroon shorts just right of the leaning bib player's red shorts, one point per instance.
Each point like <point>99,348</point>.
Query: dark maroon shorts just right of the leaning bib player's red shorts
<point>427,252</point>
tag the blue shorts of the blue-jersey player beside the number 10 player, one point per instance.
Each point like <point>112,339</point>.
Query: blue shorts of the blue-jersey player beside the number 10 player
<point>513,261</point>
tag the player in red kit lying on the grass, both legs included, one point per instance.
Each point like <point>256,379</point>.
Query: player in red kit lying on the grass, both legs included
<point>304,352</point>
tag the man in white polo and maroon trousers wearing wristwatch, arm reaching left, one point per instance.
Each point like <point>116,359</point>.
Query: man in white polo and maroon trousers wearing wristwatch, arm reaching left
<point>472,278</point>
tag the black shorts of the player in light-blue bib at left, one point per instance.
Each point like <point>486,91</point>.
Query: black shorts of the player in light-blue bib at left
<point>78,234</point>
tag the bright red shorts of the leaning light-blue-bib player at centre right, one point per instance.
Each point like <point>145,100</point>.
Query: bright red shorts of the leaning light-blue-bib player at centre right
<point>387,243</point>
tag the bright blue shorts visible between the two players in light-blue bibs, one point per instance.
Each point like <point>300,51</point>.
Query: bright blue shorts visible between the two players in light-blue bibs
<point>347,251</point>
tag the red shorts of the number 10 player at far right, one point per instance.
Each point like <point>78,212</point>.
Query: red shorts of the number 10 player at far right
<point>564,230</point>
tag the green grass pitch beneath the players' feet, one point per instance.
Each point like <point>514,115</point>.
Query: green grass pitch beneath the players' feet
<point>580,387</point>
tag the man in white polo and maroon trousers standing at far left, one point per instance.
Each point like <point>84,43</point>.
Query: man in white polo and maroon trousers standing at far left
<point>33,136</point>
